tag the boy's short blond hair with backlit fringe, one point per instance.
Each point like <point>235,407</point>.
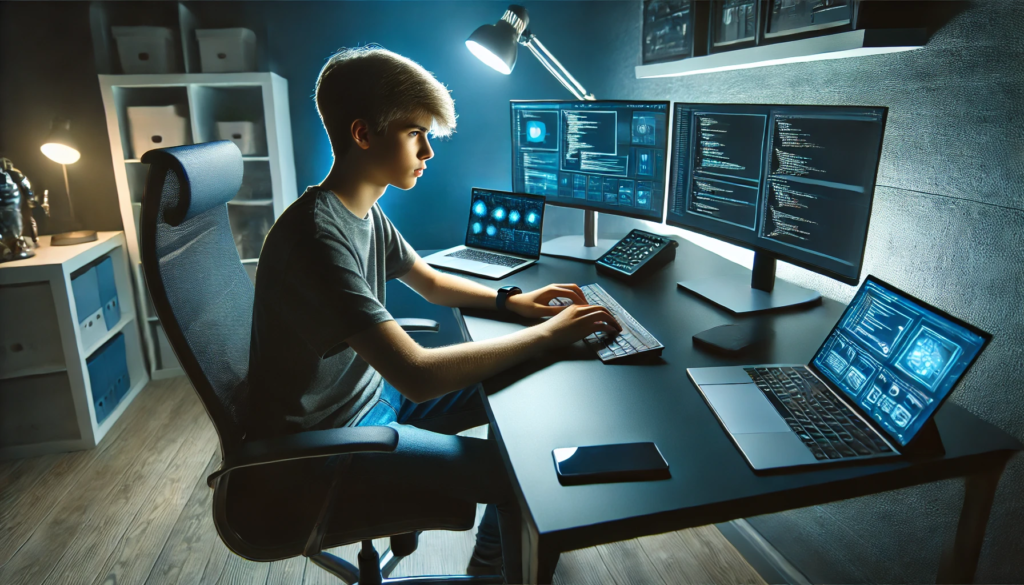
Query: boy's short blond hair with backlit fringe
<point>378,87</point>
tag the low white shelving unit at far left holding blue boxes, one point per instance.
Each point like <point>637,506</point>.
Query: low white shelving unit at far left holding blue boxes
<point>47,395</point>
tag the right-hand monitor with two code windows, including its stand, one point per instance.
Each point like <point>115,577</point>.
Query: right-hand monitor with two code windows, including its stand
<point>793,183</point>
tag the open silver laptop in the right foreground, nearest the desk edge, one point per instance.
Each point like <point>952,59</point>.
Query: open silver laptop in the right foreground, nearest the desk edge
<point>885,369</point>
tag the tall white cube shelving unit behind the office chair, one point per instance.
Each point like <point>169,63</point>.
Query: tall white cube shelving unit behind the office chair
<point>269,178</point>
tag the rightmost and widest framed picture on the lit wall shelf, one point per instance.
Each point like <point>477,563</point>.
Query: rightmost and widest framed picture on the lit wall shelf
<point>807,18</point>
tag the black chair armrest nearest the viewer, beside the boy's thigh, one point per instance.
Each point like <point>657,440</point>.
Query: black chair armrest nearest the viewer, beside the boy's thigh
<point>311,444</point>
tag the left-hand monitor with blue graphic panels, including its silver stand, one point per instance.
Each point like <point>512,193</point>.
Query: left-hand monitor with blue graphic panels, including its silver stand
<point>608,157</point>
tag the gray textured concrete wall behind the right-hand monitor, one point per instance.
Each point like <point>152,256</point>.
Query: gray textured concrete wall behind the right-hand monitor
<point>947,227</point>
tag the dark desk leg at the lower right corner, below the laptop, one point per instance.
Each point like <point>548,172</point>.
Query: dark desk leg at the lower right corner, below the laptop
<point>961,560</point>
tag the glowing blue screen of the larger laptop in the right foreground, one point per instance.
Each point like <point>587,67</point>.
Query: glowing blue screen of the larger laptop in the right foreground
<point>897,358</point>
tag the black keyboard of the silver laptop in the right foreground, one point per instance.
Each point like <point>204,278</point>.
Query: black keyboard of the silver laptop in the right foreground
<point>826,426</point>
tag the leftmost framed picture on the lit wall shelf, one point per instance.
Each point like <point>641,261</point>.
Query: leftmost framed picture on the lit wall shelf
<point>668,30</point>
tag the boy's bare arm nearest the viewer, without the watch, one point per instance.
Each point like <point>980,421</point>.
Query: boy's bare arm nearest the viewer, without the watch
<point>422,374</point>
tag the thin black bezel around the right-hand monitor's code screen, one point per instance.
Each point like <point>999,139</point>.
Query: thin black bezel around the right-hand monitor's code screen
<point>759,249</point>
